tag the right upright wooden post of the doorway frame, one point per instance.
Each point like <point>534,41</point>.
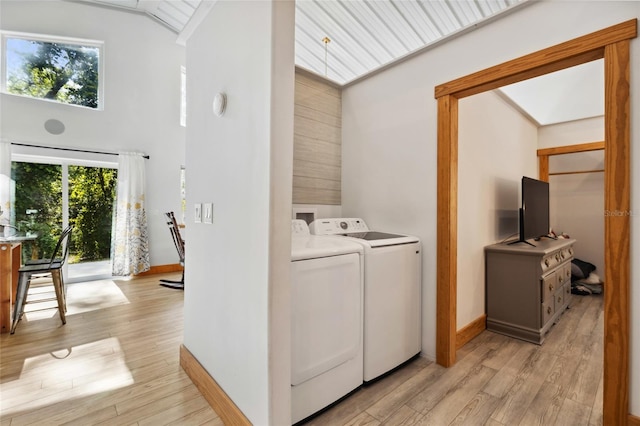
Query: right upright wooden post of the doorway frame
<point>617,232</point>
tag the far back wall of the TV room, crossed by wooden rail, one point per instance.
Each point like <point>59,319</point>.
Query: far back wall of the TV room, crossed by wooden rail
<point>577,200</point>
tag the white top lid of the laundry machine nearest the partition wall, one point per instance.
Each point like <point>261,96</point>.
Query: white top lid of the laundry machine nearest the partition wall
<point>315,246</point>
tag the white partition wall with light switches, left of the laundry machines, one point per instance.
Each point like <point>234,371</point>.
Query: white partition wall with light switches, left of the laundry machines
<point>237,314</point>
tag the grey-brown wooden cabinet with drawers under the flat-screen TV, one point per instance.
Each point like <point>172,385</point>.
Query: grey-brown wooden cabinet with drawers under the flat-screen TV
<point>527,288</point>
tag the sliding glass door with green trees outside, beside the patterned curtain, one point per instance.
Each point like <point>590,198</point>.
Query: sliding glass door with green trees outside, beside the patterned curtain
<point>49,197</point>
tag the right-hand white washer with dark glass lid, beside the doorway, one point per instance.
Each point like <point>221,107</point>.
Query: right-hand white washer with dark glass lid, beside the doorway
<point>392,295</point>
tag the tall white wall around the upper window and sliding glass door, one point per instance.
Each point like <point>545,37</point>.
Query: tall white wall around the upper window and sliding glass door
<point>141,103</point>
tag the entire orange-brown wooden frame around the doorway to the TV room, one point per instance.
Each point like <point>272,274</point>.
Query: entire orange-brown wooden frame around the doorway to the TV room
<point>612,45</point>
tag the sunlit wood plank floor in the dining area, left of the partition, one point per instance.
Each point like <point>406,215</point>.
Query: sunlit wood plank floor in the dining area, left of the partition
<point>115,362</point>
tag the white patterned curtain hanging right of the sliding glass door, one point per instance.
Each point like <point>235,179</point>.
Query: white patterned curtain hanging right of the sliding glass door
<point>130,239</point>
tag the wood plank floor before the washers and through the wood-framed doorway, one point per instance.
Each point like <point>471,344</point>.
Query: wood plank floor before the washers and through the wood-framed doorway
<point>496,381</point>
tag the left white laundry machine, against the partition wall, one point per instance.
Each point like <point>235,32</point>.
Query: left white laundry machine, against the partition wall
<point>326,320</point>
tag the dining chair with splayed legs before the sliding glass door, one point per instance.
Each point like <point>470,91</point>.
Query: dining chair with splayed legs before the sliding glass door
<point>39,269</point>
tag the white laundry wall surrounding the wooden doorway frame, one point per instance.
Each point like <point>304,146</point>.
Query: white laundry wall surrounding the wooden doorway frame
<point>390,127</point>
